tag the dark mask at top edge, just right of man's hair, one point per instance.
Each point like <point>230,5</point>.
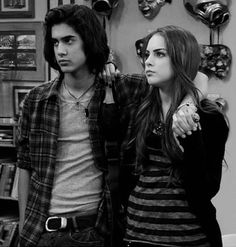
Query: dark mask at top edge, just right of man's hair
<point>104,7</point>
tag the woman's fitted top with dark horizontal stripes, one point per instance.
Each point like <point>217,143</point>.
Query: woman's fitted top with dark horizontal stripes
<point>158,211</point>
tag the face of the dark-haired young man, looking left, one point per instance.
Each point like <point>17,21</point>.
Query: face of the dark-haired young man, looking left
<point>68,49</point>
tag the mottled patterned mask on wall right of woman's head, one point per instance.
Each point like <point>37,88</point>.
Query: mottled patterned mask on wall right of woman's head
<point>216,60</point>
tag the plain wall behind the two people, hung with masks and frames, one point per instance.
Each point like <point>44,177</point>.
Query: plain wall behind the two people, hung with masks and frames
<point>124,28</point>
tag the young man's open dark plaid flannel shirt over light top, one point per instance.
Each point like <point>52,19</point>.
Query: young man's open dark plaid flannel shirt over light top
<point>37,148</point>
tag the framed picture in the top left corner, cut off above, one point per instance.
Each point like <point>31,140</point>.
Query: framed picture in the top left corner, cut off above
<point>17,9</point>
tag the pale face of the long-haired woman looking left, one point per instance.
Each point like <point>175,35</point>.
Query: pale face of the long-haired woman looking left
<point>158,68</point>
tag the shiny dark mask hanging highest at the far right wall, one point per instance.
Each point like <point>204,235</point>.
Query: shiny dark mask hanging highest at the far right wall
<point>211,13</point>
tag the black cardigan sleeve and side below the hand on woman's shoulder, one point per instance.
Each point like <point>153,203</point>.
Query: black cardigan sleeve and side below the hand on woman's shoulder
<point>202,170</point>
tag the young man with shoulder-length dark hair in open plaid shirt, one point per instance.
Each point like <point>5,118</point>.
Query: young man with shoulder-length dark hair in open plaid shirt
<point>64,193</point>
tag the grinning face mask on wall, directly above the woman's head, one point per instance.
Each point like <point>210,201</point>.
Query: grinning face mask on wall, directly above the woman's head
<point>150,8</point>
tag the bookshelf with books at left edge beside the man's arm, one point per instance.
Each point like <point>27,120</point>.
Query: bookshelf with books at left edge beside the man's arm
<point>9,174</point>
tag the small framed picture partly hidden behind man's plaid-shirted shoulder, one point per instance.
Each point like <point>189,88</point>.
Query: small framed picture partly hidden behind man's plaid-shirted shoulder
<point>19,93</point>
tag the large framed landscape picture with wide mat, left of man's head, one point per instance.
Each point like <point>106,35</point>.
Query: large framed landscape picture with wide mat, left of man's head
<point>21,51</point>
